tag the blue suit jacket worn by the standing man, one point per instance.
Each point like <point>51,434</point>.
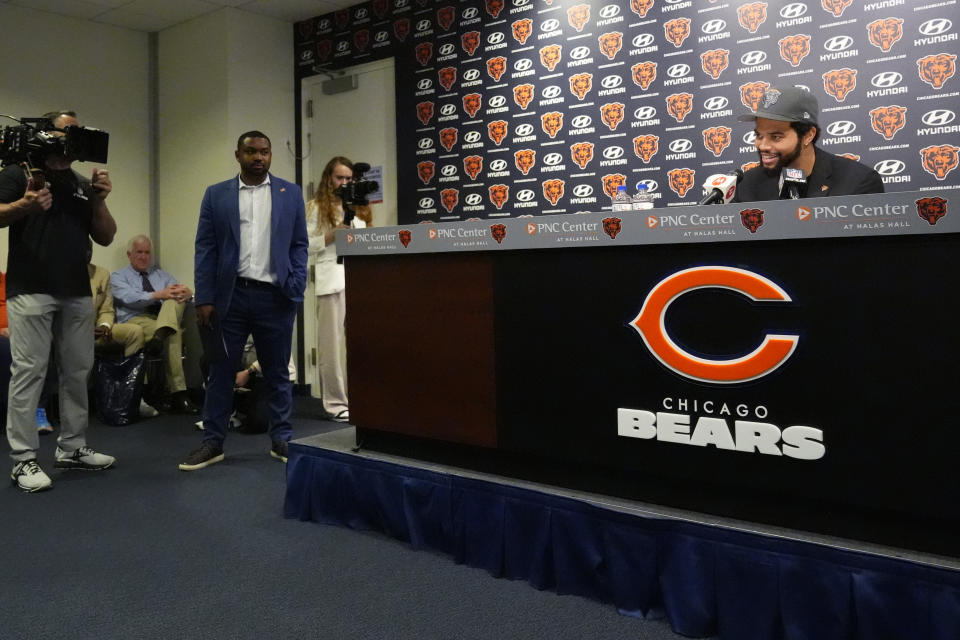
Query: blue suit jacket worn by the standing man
<point>217,254</point>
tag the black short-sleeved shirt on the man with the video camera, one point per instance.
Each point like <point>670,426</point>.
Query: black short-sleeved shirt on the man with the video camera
<point>48,250</point>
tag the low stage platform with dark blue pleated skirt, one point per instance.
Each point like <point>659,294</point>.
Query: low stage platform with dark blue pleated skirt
<point>709,575</point>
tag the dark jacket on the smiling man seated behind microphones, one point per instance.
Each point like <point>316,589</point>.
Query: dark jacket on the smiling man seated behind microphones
<point>832,176</point>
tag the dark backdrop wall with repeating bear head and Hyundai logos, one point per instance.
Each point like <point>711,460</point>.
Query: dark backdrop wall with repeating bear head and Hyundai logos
<point>509,108</point>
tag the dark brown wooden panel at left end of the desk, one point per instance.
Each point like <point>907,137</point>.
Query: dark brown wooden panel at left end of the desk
<point>420,346</point>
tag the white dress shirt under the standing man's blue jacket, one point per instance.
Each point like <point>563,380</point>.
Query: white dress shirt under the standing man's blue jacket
<point>256,207</point>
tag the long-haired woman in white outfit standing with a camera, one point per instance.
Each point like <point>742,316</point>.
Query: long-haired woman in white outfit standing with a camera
<point>325,214</point>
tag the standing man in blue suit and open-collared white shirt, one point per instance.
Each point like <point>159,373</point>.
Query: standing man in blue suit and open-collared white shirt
<point>250,274</point>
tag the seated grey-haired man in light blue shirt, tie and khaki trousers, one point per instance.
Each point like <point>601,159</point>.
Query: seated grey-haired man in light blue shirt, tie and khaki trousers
<point>152,299</point>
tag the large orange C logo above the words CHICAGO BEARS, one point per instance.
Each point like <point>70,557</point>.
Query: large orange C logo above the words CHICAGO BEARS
<point>772,352</point>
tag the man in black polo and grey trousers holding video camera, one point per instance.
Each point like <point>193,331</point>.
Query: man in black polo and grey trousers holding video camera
<point>48,300</point>
